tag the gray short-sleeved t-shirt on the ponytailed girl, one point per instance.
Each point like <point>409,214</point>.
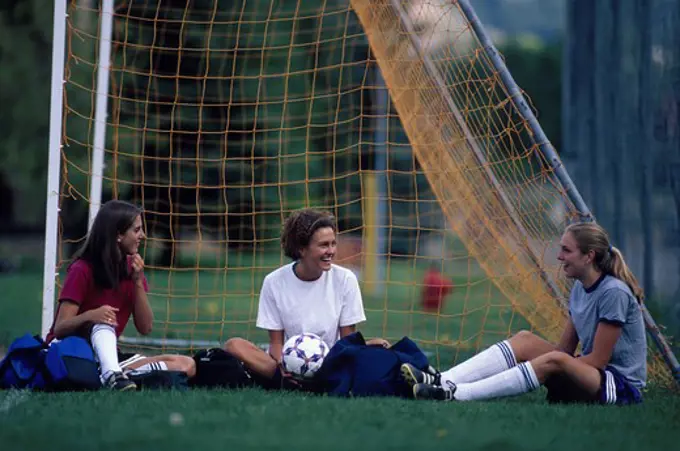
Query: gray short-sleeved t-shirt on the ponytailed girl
<point>611,300</point>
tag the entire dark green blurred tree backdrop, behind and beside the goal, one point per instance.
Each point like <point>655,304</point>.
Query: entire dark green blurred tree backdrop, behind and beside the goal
<point>252,107</point>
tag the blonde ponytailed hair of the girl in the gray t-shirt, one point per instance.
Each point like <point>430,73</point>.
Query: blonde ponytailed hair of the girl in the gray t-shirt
<point>590,236</point>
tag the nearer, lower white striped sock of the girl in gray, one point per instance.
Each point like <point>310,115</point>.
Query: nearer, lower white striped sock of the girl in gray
<point>515,381</point>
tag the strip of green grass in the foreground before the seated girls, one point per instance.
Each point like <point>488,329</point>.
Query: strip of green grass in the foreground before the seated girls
<point>254,419</point>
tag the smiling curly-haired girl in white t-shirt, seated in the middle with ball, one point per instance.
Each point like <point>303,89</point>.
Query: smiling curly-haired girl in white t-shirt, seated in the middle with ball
<point>309,295</point>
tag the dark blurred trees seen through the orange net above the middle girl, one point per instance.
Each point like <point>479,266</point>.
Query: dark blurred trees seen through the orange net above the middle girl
<point>239,111</point>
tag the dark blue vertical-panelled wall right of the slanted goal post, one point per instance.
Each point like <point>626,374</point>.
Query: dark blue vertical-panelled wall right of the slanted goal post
<point>622,110</point>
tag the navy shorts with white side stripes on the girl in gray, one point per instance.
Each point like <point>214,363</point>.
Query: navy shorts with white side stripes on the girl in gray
<point>614,389</point>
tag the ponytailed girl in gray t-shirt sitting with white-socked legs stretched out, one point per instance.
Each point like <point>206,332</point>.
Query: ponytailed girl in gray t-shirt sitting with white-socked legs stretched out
<point>604,317</point>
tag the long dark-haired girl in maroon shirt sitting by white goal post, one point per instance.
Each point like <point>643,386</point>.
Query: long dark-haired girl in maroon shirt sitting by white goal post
<point>104,286</point>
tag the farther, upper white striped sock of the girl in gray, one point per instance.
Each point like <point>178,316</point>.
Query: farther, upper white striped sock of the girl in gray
<point>492,360</point>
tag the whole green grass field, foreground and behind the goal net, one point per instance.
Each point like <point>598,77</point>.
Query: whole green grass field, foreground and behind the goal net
<point>253,419</point>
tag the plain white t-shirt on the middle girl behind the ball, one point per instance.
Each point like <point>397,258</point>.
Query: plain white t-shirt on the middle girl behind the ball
<point>321,306</point>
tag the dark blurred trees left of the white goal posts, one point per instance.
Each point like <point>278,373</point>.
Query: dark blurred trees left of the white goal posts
<point>25,55</point>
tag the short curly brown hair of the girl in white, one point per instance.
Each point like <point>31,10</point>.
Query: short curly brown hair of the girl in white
<point>299,228</point>
